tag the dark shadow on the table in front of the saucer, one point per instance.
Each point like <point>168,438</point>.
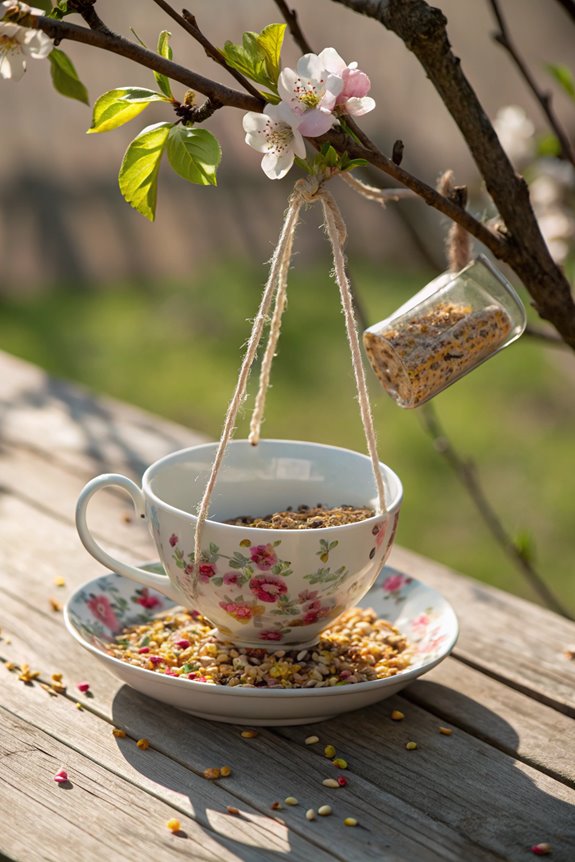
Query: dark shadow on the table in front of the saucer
<point>465,791</point>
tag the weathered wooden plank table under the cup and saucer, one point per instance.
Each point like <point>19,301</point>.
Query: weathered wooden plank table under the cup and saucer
<point>502,782</point>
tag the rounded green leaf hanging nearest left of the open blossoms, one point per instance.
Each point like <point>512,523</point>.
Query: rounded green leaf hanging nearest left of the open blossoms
<point>194,154</point>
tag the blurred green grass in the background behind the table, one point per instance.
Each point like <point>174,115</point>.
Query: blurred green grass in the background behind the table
<point>176,348</point>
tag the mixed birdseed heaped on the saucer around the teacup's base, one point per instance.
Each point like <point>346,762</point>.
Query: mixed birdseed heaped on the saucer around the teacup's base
<point>358,647</point>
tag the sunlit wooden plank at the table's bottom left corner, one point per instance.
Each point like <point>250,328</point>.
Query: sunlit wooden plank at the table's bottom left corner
<point>96,815</point>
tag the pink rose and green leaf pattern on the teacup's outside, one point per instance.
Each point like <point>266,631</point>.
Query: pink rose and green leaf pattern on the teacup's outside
<point>252,586</point>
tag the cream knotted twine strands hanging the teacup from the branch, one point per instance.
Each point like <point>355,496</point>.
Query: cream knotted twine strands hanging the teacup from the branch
<point>306,191</point>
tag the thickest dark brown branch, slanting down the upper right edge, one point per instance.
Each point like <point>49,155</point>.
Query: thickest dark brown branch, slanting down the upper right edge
<point>423,30</point>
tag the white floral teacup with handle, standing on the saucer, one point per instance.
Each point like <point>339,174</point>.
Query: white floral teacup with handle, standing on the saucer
<point>259,587</point>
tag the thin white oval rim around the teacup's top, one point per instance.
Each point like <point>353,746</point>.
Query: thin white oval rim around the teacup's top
<point>392,507</point>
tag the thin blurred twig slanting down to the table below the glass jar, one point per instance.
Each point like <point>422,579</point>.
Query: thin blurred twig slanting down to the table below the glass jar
<point>466,474</point>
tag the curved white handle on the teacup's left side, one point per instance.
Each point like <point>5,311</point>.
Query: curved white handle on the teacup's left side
<point>161,583</point>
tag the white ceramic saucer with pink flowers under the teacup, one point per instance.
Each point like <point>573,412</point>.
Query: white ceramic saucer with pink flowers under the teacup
<point>102,607</point>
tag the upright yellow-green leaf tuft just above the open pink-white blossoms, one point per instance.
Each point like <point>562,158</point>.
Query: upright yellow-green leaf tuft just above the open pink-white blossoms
<point>258,57</point>
